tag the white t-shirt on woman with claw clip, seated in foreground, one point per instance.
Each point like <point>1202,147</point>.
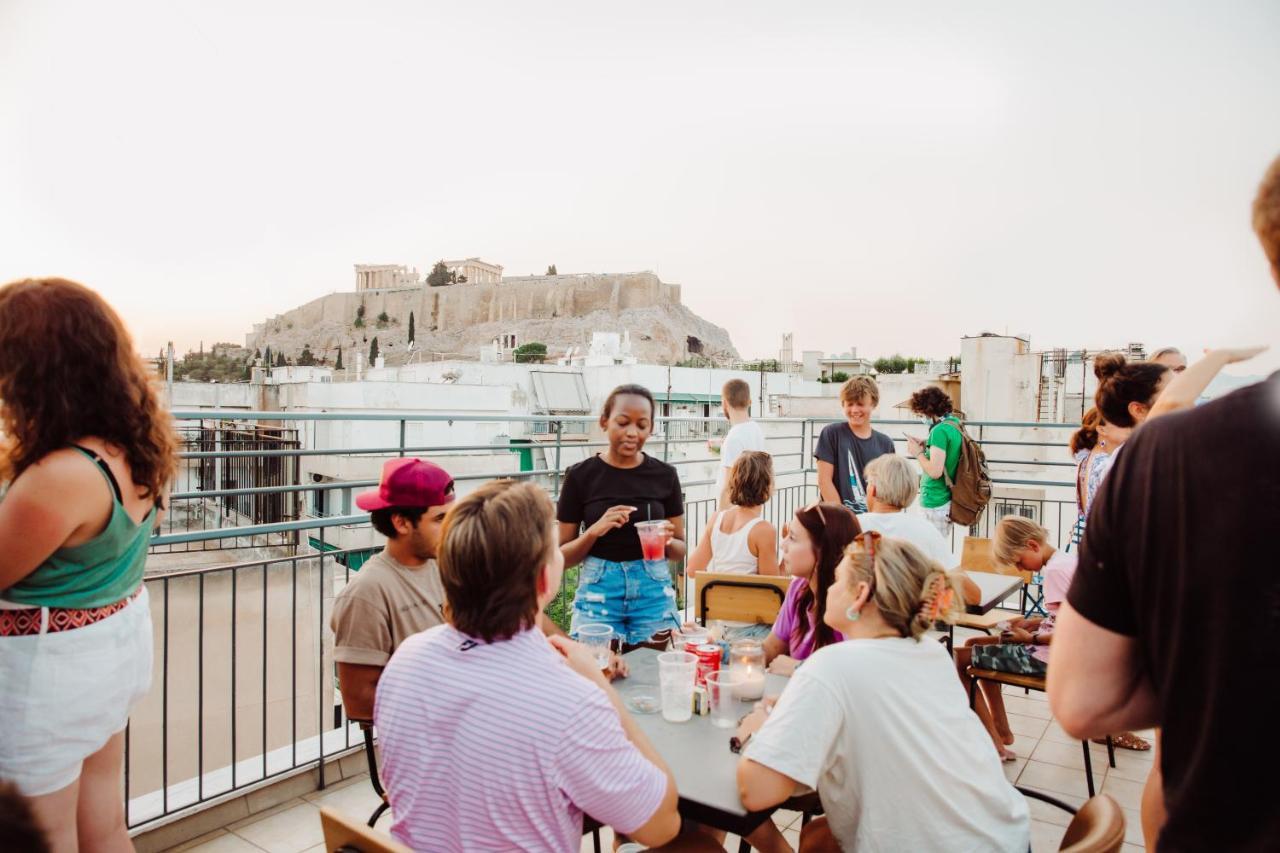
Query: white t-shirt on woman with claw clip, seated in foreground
<point>883,729</point>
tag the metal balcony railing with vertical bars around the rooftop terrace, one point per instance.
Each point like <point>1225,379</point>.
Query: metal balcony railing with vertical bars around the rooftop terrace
<point>245,687</point>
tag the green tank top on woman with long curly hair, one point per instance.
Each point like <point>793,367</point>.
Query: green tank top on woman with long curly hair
<point>97,573</point>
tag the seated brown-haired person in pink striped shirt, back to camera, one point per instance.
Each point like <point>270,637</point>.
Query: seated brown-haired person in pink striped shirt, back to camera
<point>493,736</point>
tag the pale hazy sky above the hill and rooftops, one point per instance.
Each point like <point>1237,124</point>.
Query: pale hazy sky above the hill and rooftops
<point>889,177</point>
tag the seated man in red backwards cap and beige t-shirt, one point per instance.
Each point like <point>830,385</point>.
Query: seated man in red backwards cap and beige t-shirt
<point>397,592</point>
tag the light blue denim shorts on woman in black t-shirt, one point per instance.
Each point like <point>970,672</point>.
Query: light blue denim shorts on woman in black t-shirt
<point>634,597</point>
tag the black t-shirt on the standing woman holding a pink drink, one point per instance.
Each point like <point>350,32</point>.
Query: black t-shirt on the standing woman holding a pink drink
<point>593,486</point>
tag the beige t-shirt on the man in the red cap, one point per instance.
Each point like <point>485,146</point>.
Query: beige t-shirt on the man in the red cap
<point>383,605</point>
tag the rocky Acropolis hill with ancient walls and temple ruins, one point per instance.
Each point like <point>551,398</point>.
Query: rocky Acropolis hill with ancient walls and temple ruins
<point>460,320</point>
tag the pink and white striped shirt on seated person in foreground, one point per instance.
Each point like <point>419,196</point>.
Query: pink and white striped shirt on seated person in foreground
<point>504,747</point>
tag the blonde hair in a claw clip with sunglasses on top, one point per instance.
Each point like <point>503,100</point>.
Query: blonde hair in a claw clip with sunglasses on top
<point>912,592</point>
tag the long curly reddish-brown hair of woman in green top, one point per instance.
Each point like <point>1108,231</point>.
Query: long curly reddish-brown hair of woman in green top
<point>67,371</point>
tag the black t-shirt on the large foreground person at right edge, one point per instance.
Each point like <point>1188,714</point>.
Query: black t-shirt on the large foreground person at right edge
<point>1181,554</point>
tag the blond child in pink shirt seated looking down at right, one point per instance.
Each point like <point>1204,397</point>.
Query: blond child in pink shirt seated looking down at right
<point>1023,649</point>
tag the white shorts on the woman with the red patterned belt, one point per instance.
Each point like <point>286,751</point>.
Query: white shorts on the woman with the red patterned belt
<point>65,695</point>
